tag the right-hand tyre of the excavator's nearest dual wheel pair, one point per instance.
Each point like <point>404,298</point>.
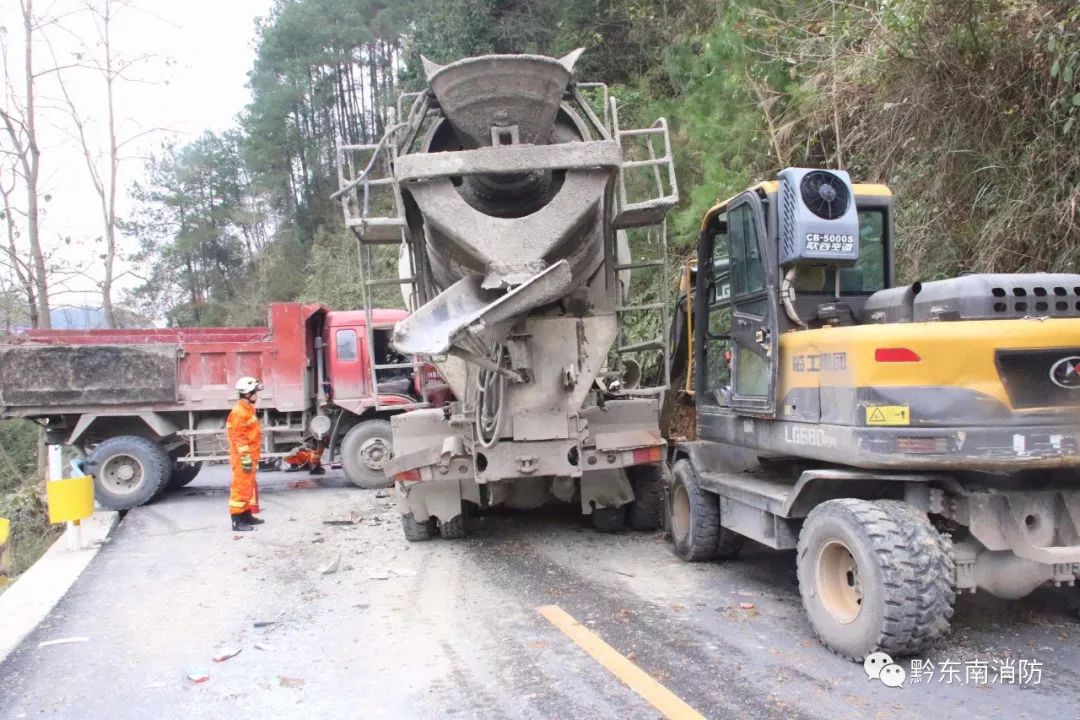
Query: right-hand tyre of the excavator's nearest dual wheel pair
<point>935,569</point>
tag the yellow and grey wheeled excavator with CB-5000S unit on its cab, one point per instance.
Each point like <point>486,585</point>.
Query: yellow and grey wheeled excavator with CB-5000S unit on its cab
<point>909,442</point>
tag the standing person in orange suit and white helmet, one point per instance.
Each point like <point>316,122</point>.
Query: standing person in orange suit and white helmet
<point>246,437</point>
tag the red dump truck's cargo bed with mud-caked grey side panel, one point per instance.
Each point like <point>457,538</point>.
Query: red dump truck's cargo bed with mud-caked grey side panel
<point>61,372</point>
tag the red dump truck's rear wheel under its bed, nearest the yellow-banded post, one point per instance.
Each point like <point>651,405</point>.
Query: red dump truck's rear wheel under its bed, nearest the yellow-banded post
<point>129,471</point>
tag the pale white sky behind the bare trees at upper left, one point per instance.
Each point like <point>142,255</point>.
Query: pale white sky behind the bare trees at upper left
<point>198,56</point>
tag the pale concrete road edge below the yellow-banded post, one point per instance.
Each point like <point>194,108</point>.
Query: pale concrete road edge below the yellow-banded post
<point>35,593</point>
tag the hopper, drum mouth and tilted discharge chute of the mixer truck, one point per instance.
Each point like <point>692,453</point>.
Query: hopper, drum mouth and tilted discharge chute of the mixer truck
<point>504,244</point>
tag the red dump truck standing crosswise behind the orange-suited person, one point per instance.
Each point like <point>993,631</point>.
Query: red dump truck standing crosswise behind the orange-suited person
<point>147,407</point>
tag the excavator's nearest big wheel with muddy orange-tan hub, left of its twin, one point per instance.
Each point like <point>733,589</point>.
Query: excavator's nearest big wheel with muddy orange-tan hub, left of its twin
<point>858,578</point>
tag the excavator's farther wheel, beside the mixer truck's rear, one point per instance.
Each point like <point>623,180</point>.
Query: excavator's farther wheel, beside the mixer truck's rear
<point>695,520</point>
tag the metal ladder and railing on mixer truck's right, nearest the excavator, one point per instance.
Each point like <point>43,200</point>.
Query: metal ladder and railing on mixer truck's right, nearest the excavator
<point>649,215</point>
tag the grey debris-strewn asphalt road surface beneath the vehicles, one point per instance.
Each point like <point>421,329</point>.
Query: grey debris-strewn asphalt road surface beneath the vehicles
<point>452,630</point>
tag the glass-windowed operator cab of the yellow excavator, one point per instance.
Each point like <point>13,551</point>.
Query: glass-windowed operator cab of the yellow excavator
<point>746,298</point>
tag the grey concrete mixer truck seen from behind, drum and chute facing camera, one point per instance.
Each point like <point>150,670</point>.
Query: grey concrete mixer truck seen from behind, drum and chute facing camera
<point>526,230</point>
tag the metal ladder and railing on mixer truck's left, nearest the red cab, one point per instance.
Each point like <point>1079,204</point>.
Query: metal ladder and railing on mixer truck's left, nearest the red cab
<point>375,233</point>
